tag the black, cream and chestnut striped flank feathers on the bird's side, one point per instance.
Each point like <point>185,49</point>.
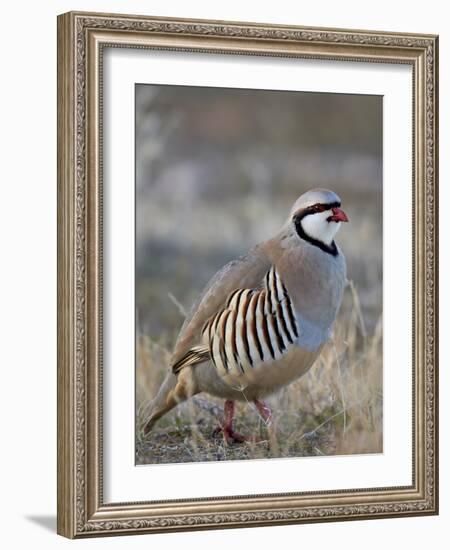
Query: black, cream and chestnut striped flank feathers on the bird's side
<point>255,327</point>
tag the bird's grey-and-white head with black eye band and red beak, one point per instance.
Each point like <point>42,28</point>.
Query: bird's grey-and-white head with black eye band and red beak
<point>317,216</point>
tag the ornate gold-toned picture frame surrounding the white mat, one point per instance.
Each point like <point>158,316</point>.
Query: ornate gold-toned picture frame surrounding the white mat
<point>81,38</point>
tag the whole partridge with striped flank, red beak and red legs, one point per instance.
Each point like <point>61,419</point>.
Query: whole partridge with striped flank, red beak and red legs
<point>263,319</point>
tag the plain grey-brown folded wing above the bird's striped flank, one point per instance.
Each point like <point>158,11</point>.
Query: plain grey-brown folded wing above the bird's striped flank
<point>245,272</point>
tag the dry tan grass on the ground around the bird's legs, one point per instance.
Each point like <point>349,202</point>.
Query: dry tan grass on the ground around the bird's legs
<point>336,408</point>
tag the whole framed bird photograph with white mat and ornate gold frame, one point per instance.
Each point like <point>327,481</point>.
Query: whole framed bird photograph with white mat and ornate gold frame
<point>247,288</point>
